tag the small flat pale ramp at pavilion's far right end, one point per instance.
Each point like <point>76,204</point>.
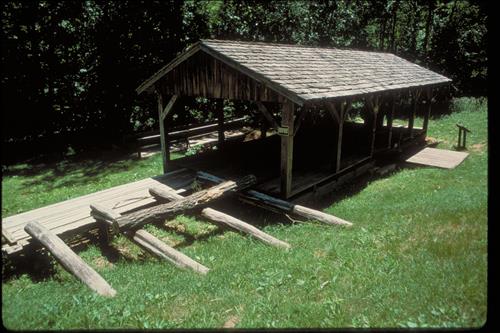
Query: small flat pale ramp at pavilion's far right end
<point>440,158</point>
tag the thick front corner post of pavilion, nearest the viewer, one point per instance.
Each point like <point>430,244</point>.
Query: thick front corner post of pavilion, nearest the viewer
<point>287,124</point>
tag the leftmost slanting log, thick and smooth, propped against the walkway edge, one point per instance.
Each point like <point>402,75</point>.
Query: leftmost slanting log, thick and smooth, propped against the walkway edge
<point>69,259</point>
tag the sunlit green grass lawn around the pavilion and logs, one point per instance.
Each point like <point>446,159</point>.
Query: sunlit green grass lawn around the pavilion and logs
<point>415,257</point>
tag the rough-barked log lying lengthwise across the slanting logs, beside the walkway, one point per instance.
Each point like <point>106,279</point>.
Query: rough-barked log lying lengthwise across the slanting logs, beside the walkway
<point>138,218</point>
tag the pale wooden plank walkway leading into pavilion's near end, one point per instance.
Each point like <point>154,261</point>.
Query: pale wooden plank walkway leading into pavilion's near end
<point>71,217</point>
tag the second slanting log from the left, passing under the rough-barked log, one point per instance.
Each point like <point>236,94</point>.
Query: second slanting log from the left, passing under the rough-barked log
<point>149,242</point>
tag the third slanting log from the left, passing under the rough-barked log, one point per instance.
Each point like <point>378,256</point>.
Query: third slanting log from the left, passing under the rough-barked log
<point>226,219</point>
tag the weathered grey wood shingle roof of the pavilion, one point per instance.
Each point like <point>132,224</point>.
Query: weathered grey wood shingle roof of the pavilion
<point>304,73</point>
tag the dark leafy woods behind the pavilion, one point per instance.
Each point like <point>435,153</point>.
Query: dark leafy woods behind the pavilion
<point>69,68</point>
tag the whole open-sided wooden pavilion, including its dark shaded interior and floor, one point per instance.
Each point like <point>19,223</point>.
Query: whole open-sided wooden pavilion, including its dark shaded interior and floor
<point>286,83</point>
